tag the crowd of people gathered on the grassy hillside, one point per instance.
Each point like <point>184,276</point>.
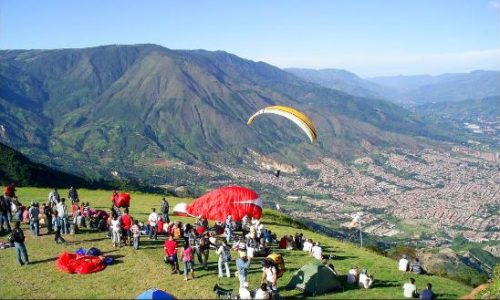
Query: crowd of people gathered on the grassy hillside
<point>184,242</point>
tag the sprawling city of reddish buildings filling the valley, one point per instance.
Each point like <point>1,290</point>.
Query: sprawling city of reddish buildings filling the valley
<point>430,196</point>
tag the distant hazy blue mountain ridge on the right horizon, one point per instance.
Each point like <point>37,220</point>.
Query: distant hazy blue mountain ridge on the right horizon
<point>409,90</point>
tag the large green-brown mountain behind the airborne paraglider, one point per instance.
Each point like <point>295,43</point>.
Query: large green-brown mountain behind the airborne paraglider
<point>124,108</point>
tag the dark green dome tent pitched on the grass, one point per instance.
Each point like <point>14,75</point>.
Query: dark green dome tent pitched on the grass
<point>314,279</point>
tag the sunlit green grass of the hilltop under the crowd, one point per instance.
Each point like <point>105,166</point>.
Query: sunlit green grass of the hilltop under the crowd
<point>136,271</point>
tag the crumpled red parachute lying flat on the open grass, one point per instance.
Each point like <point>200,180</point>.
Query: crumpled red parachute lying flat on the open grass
<point>80,264</point>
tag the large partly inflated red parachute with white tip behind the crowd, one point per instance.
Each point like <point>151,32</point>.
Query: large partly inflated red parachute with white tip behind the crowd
<point>236,201</point>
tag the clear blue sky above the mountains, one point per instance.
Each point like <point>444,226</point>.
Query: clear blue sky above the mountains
<point>383,37</point>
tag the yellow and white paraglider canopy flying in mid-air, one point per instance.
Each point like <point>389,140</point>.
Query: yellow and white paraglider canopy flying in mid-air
<point>293,115</point>
